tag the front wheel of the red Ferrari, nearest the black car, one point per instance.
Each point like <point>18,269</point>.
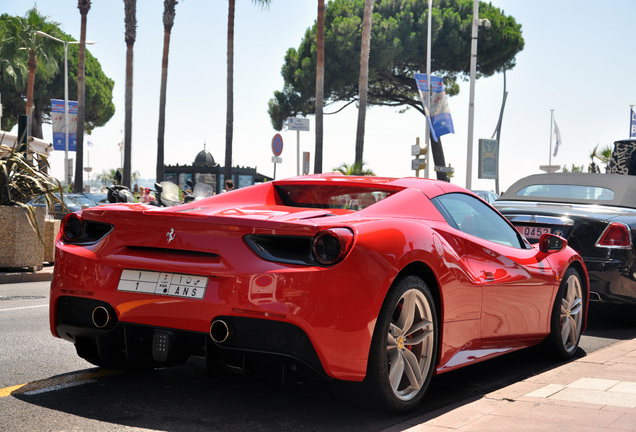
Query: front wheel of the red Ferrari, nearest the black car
<point>567,317</point>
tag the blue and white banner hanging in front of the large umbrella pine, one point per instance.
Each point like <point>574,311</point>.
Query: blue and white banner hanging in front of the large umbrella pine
<point>438,113</point>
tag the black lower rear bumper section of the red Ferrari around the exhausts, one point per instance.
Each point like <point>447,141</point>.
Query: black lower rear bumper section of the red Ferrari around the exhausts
<point>100,338</point>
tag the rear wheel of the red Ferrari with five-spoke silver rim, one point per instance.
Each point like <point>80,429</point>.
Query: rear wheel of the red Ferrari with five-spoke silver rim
<point>404,347</point>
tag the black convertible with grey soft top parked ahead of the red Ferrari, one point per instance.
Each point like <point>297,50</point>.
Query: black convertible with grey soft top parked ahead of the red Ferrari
<point>595,213</point>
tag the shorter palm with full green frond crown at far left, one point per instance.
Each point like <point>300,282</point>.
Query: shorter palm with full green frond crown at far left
<point>38,48</point>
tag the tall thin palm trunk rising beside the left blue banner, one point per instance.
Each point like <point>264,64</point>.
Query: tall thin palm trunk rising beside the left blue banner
<point>78,186</point>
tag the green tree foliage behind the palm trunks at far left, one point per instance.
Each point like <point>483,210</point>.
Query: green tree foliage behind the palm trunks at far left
<point>49,81</point>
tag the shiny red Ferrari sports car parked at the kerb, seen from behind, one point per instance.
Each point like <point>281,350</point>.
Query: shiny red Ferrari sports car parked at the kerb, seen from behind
<point>380,281</point>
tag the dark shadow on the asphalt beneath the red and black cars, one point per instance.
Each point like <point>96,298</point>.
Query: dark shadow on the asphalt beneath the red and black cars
<point>187,399</point>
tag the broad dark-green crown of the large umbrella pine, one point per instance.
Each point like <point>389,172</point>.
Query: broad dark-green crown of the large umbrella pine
<point>398,49</point>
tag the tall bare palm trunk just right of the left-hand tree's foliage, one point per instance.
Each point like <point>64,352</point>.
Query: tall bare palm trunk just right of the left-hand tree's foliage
<point>130,9</point>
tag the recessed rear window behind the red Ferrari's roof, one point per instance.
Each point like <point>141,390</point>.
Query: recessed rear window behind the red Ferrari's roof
<point>331,196</point>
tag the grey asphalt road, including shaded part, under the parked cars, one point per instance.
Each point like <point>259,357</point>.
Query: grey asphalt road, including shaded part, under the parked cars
<point>65,393</point>
